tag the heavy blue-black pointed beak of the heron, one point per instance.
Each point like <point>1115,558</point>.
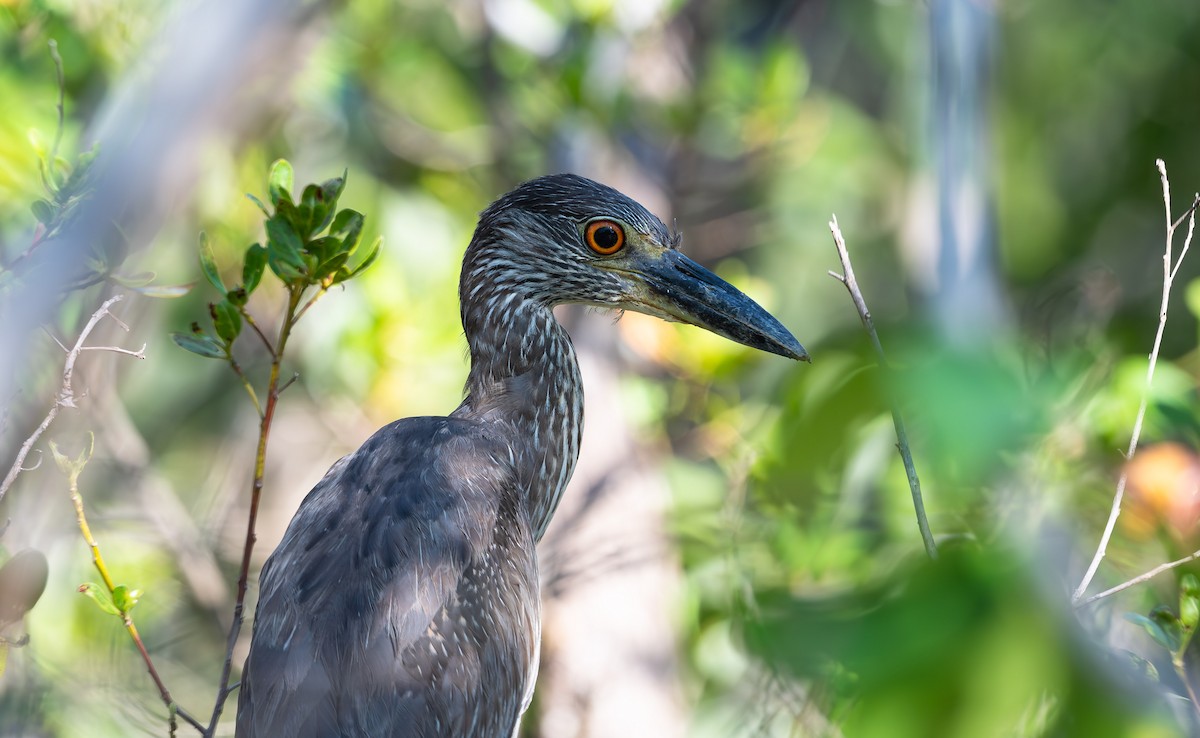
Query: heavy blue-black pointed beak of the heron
<point>681,290</point>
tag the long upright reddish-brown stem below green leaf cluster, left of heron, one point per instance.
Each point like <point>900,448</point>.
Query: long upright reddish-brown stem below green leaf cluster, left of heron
<point>256,494</point>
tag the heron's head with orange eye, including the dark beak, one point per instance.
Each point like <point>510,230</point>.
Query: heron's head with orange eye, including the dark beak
<point>567,239</point>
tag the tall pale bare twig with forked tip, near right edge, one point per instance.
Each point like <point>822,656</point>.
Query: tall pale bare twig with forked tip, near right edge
<point>1171,268</point>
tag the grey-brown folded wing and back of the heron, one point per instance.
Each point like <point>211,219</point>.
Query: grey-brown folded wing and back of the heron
<point>375,554</point>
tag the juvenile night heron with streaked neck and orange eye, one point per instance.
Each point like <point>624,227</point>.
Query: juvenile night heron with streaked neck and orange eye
<point>404,598</point>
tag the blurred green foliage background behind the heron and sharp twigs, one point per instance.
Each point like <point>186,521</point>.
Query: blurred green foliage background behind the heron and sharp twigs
<point>739,553</point>
